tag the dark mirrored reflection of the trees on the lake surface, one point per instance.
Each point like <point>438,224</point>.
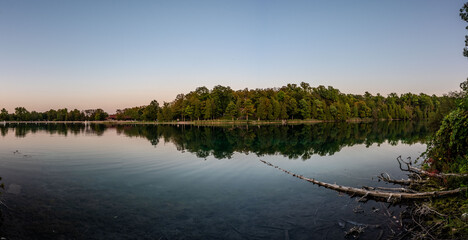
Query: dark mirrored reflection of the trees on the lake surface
<point>292,141</point>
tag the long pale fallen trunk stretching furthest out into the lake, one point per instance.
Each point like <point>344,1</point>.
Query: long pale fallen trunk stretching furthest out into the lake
<point>374,194</point>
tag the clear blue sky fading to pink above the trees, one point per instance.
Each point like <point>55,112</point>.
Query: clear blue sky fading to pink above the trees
<point>117,54</point>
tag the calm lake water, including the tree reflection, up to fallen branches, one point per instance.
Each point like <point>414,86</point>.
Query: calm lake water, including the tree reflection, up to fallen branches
<point>167,182</point>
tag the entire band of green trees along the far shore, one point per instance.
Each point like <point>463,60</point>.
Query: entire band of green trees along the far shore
<point>286,103</point>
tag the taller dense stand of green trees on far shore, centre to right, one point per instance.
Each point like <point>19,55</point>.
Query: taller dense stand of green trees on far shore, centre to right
<point>301,102</point>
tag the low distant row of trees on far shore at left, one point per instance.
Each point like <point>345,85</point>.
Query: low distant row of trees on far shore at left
<point>21,114</point>
